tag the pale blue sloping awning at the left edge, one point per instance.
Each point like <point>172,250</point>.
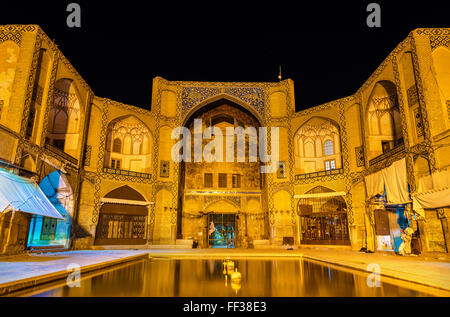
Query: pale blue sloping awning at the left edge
<point>19,193</point>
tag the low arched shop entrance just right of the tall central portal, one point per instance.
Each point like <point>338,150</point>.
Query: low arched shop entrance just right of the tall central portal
<point>323,217</point>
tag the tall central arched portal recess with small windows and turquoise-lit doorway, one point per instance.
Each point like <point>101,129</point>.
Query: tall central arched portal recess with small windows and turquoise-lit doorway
<point>232,182</point>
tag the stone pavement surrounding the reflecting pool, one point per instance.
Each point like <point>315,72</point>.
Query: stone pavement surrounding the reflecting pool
<point>27,270</point>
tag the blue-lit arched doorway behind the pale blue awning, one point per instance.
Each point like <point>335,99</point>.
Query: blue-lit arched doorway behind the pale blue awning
<point>45,231</point>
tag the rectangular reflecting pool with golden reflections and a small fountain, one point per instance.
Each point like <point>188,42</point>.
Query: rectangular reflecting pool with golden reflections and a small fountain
<point>256,277</point>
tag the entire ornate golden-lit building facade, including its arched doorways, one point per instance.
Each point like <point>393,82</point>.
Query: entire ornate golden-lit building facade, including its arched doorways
<point>109,165</point>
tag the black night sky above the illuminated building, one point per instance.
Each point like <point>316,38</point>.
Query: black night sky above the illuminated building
<point>326,48</point>
